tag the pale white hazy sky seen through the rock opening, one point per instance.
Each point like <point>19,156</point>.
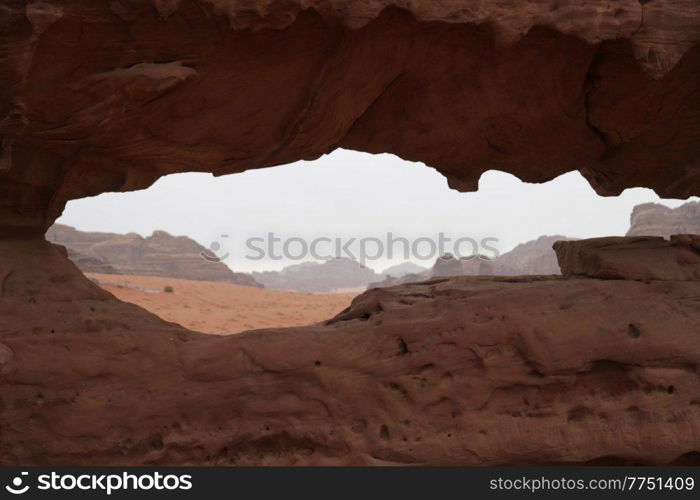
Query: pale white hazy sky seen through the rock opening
<point>352,195</point>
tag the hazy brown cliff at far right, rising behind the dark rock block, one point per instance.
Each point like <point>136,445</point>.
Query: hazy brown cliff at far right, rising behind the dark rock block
<point>652,219</point>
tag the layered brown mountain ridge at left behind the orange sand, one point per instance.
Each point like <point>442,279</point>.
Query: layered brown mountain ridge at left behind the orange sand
<point>161,254</point>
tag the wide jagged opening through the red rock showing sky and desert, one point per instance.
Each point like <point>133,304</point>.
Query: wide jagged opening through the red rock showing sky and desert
<point>293,245</point>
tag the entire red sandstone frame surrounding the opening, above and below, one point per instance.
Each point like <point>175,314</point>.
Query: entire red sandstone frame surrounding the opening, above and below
<point>102,96</point>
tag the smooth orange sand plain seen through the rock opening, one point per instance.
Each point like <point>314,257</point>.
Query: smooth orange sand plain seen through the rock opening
<point>222,308</point>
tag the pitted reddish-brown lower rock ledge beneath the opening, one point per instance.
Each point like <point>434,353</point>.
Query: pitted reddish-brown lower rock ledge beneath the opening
<point>453,371</point>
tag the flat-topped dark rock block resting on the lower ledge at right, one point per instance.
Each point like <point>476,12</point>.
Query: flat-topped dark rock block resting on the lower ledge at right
<point>632,258</point>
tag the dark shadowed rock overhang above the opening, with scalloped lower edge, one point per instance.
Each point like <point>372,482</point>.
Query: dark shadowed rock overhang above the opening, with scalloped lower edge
<point>102,96</point>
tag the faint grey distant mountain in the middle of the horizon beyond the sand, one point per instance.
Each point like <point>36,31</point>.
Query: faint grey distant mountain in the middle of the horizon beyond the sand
<point>317,277</point>
